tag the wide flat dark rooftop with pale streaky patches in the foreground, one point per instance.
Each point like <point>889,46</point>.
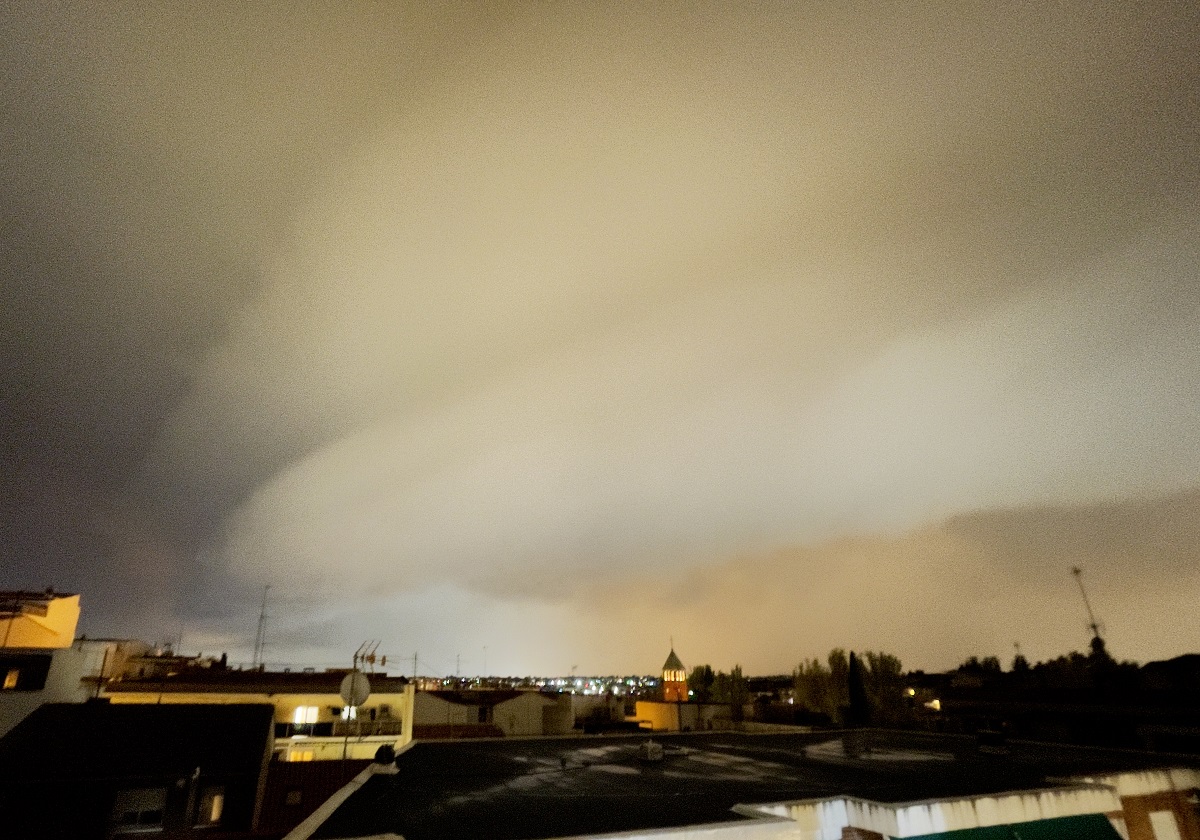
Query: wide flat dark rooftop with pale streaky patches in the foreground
<point>554,788</point>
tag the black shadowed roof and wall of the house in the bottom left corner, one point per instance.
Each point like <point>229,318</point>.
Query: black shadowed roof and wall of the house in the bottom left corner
<point>67,767</point>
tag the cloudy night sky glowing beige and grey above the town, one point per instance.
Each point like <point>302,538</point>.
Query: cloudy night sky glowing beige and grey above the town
<point>530,338</point>
